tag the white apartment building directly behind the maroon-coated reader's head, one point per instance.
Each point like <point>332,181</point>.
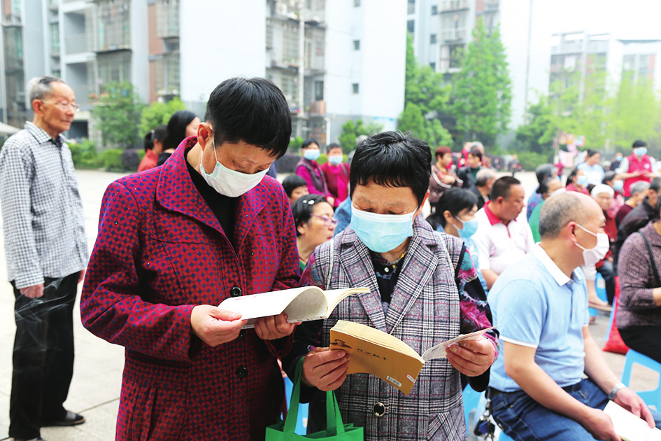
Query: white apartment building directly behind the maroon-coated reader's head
<point>334,60</point>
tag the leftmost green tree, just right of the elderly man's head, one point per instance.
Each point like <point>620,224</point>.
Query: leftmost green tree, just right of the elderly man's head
<point>118,115</point>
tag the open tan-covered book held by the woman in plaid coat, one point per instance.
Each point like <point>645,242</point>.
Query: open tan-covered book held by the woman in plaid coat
<point>385,356</point>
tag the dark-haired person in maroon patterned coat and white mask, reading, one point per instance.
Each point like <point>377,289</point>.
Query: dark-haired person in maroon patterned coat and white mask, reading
<point>177,240</point>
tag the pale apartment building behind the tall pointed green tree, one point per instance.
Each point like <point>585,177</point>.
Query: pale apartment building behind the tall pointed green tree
<point>442,29</point>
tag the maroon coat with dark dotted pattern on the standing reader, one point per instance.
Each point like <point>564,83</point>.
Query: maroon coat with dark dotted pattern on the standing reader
<point>160,251</point>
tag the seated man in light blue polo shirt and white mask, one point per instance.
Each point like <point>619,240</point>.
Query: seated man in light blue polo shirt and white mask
<point>537,386</point>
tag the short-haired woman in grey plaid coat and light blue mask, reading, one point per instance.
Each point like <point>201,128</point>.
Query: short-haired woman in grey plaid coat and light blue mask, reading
<point>424,290</point>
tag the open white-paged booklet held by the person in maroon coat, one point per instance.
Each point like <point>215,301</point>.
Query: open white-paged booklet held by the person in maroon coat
<point>300,304</point>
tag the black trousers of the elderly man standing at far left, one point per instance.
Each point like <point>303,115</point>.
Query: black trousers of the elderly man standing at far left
<point>43,356</point>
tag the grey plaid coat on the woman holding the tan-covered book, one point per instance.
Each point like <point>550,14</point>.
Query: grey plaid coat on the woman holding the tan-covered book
<point>425,311</point>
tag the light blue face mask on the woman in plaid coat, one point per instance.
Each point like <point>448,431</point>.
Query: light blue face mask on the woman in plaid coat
<point>381,232</point>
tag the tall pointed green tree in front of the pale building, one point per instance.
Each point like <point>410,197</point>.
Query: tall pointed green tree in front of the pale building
<point>482,93</point>
